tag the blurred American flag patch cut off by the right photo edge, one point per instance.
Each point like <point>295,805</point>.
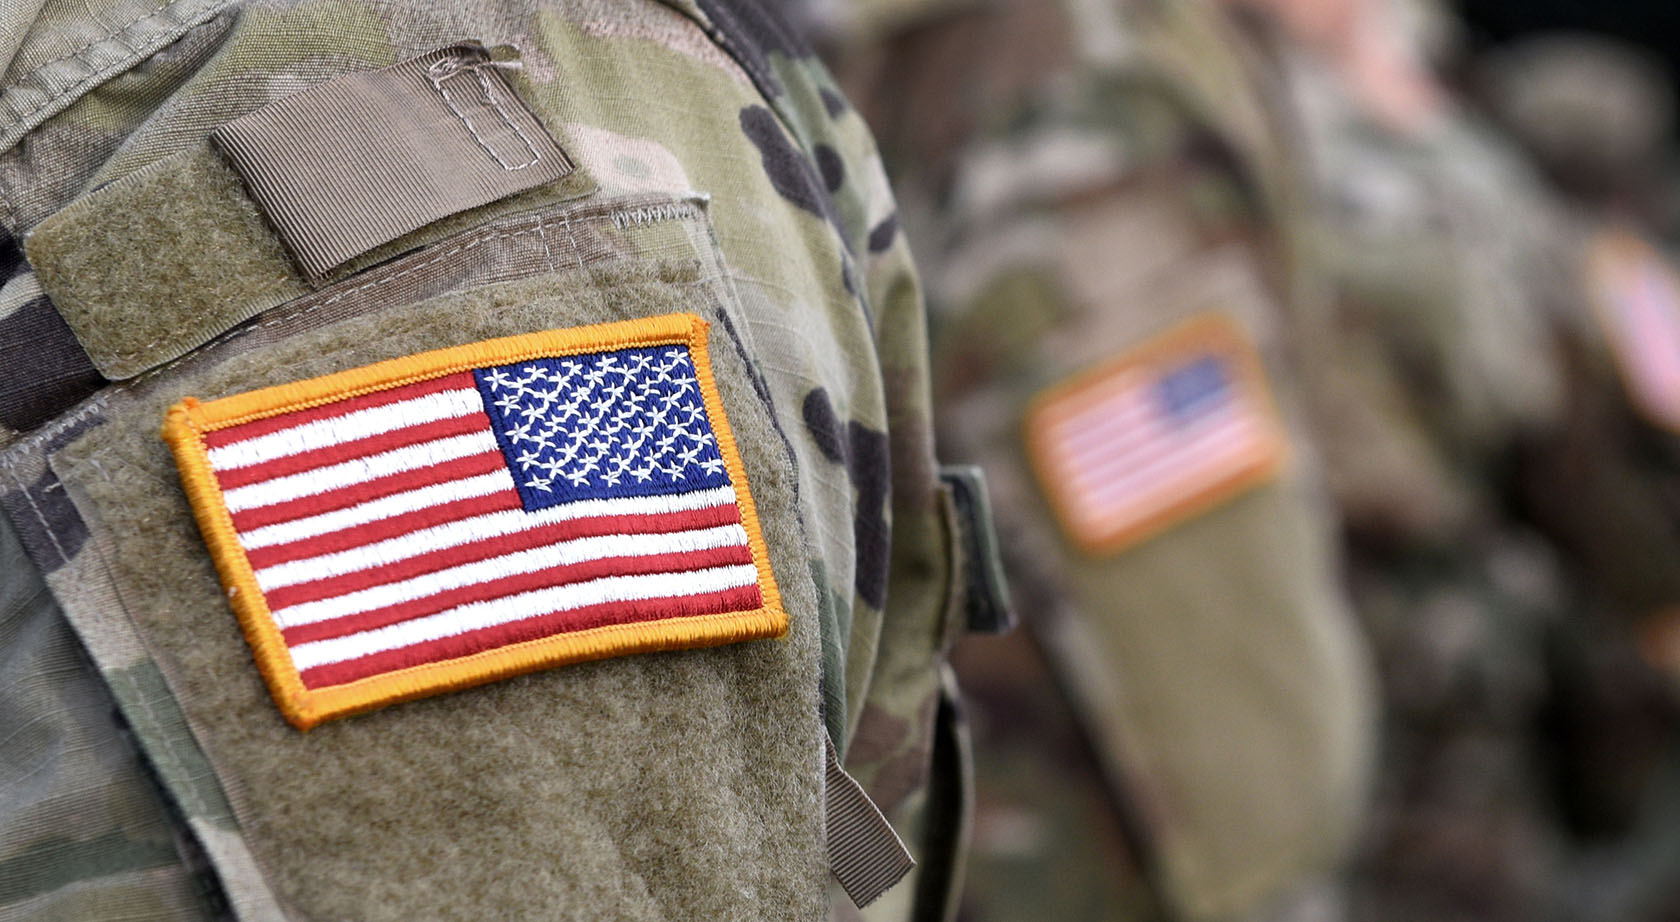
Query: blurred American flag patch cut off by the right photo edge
<point>1639,305</point>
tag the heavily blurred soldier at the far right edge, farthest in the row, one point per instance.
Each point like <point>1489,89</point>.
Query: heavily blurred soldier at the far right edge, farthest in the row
<point>1614,159</point>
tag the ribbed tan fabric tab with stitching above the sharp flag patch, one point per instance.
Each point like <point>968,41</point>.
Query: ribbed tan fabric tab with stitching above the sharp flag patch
<point>362,160</point>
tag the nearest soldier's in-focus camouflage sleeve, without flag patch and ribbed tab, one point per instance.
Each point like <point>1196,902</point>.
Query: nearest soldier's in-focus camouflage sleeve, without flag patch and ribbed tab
<point>144,772</point>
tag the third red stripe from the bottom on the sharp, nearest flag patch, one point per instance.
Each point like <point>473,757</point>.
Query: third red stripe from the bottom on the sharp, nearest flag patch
<point>503,545</point>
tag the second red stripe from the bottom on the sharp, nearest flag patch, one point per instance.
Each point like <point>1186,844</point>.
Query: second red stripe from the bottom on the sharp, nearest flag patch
<point>513,585</point>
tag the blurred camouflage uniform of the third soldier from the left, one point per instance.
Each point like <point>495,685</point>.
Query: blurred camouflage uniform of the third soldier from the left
<point>1523,728</point>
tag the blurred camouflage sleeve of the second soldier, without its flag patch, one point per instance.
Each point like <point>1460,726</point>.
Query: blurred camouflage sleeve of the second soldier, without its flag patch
<point>1081,179</point>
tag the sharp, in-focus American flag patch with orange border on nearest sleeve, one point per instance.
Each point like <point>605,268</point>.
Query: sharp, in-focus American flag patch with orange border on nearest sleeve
<point>468,515</point>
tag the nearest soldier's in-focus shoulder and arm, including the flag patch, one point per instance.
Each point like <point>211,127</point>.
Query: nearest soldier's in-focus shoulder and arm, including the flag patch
<point>549,436</point>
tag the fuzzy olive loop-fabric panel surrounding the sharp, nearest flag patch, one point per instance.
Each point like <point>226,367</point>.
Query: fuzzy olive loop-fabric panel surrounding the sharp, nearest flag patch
<point>350,814</point>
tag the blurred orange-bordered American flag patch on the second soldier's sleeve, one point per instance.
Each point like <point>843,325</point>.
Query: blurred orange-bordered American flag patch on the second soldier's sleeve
<point>1157,436</point>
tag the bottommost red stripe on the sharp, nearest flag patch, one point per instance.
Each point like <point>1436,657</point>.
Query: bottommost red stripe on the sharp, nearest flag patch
<point>532,629</point>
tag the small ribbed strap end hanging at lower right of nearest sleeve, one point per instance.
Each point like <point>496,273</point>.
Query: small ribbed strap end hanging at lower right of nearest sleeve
<point>864,854</point>
